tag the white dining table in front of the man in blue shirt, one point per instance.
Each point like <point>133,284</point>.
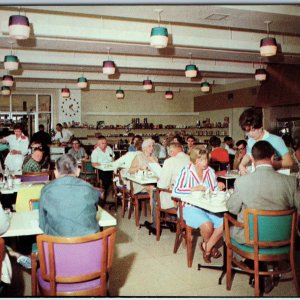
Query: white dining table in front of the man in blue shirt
<point>27,222</point>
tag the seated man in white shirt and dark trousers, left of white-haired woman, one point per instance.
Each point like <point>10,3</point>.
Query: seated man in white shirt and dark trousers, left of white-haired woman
<point>103,154</point>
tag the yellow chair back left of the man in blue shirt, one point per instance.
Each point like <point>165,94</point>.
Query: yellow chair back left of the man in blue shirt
<point>26,193</point>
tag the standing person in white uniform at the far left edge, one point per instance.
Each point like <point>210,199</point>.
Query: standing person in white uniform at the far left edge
<point>18,148</point>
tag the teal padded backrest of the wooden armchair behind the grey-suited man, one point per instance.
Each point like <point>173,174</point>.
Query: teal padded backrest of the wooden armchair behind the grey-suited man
<point>270,228</point>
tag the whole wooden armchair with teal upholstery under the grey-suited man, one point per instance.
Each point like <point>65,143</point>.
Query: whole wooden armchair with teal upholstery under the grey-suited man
<point>269,237</point>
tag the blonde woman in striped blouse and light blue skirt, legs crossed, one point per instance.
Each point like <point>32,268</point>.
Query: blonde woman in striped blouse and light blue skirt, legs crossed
<point>198,176</point>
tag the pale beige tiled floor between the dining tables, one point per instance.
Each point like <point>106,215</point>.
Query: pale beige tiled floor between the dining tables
<point>144,267</point>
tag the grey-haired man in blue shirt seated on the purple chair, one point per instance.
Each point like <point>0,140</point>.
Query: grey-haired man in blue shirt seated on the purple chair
<point>68,205</point>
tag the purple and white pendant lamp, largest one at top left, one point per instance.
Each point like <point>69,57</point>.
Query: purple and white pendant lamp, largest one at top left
<point>19,27</point>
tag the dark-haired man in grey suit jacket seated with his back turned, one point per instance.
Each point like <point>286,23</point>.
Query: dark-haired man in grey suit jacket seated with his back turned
<point>278,191</point>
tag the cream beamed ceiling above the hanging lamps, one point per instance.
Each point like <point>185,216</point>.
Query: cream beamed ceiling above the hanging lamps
<point>223,41</point>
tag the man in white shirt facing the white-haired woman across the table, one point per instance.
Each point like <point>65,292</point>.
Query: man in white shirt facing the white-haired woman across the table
<point>170,171</point>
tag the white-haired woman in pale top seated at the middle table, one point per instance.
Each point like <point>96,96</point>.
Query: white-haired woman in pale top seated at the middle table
<point>141,162</point>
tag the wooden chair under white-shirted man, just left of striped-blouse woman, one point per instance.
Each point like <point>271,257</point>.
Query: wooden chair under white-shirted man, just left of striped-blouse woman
<point>164,215</point>
